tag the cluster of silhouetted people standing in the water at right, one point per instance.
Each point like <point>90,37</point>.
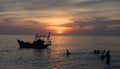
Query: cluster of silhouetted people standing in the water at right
<point>104,55</point>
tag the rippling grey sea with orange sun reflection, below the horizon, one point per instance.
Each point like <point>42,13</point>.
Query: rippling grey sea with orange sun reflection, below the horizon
<point>54,57</point>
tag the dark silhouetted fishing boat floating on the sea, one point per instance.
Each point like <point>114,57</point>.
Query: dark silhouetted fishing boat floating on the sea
<point>40,42</point>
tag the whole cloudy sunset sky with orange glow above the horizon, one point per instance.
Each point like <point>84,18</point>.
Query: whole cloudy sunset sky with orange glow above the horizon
<point>70,17</point>
